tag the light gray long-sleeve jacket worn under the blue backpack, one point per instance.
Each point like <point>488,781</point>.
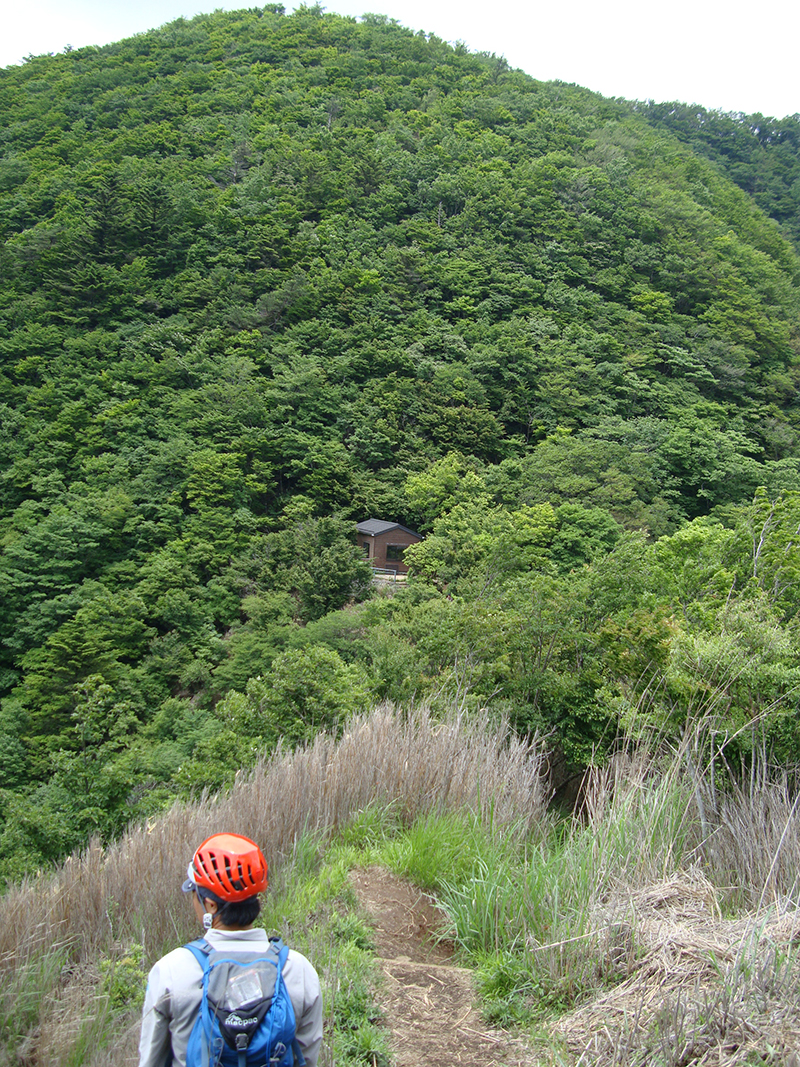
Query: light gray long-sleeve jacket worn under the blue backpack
<point>175,990</point>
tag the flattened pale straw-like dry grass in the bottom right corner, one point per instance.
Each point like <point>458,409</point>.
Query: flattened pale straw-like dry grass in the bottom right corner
<point>700,991</point>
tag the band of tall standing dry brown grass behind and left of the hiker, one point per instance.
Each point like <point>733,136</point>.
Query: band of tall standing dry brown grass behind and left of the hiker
<point>104,899</point>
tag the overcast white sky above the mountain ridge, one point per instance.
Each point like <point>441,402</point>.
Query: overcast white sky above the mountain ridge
<point>719,54</point>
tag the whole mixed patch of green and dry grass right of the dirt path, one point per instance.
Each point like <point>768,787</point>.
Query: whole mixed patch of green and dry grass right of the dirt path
<point>614,923</point>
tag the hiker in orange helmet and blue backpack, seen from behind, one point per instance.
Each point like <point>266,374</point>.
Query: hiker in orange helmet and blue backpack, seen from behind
<point>234,998</point>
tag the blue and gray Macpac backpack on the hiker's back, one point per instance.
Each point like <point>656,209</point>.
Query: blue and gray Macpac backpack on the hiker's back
<point>246,1018</point>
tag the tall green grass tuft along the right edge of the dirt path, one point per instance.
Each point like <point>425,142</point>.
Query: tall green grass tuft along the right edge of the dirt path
<point>550,922</point>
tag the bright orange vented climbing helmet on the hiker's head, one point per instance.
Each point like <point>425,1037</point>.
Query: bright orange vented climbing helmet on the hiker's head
<point>230,867</point>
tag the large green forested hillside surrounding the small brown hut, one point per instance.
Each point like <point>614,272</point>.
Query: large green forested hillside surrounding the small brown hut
<point>265,276</point>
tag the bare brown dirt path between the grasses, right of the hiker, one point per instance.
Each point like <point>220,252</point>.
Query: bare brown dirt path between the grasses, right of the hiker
<point>428,1002</point>
